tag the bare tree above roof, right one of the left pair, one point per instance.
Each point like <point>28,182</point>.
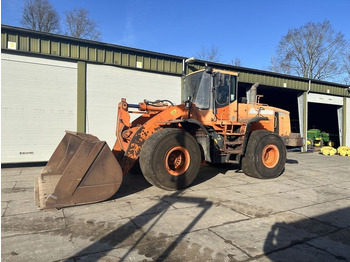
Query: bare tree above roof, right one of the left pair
<point>80,25</point>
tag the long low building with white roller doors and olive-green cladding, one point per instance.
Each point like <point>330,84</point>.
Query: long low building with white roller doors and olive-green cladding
<point>51,83</point>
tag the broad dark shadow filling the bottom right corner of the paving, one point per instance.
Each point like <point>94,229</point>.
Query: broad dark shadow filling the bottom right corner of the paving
<point>320,238</point>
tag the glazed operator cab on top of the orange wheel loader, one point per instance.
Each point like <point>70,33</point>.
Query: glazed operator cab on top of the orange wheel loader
<point>210,89</point>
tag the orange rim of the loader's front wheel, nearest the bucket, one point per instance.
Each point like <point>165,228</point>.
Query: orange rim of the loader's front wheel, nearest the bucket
<point>177,160</point>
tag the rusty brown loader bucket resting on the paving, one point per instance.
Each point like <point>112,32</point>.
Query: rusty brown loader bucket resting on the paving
<point>81,170</point>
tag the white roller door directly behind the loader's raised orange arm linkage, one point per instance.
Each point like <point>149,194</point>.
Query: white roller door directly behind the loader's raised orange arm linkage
<point>106,85</point>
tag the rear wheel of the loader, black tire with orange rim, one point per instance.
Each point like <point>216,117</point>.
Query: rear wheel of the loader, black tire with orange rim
<point>265,156</point>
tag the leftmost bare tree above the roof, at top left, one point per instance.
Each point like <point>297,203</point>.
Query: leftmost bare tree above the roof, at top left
<point>40,15</point>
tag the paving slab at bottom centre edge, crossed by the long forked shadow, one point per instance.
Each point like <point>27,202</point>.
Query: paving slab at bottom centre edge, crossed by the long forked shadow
<point>197,247</point>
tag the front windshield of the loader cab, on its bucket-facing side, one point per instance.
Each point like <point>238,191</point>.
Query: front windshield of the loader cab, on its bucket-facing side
<point>197,86</point>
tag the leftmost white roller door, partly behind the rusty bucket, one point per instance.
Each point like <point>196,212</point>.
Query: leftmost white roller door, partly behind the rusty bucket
<point>38,102</point>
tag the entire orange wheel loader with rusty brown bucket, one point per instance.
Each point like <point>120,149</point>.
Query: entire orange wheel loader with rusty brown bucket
<point>170,142</point>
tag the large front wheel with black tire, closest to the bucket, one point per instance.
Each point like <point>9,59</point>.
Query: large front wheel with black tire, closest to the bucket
<point>170,159</point>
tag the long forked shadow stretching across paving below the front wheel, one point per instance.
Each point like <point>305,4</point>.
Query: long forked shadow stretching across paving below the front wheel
<point>103,246</point>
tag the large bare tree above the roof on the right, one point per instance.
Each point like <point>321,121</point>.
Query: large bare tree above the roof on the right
<point>314,51</point>
